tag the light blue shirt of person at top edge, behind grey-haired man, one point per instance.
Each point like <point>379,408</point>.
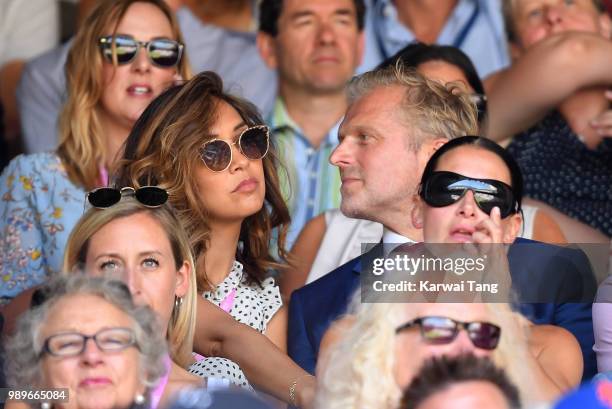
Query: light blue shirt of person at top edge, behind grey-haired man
<point>475,26</point>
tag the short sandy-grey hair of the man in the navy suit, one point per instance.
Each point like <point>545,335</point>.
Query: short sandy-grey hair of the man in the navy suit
<point>429,108</point>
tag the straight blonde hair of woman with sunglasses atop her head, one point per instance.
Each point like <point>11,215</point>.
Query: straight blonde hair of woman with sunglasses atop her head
<point>181,327</point>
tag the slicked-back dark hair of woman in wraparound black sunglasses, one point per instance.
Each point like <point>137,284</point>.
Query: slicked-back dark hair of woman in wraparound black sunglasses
<point>516,177</point>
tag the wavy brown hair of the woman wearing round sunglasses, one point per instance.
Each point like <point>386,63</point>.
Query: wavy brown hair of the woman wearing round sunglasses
<point>162,150</point>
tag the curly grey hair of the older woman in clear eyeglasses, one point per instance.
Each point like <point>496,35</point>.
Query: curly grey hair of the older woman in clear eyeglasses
<point>23,349</point>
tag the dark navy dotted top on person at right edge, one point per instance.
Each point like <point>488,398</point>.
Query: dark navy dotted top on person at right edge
<point>562,172</point>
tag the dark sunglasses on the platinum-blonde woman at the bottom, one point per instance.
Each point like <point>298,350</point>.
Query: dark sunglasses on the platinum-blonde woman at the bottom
<point>443,330</point>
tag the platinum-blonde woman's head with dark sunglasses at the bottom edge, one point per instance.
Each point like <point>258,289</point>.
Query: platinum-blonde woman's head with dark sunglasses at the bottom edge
<point>382,346</point>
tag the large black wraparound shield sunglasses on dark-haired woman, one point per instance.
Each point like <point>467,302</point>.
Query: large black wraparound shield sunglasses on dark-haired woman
<point>445,188</point>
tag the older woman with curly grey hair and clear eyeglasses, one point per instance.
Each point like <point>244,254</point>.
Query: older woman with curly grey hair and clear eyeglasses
<point>90,343</point>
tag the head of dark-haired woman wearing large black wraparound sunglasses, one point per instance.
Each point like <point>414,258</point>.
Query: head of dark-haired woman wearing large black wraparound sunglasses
<point>490,213</point>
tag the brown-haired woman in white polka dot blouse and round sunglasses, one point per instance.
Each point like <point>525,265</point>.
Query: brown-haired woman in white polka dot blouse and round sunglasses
<point>221,178</point>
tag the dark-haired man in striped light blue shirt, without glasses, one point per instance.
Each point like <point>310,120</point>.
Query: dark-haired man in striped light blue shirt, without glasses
<point>315,46</point>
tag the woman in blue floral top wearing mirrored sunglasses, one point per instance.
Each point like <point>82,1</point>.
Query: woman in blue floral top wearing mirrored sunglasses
<point>125,54</point>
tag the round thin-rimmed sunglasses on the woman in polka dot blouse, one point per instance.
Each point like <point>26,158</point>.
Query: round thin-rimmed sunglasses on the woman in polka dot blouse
<point>253,143</point>
